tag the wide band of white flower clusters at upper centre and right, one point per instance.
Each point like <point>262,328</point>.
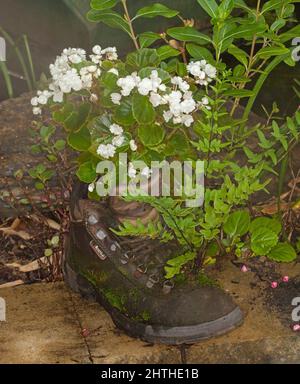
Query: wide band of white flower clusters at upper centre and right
<point>180,101</point>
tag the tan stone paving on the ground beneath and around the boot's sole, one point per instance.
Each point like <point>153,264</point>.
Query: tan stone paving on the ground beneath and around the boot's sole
<point>45,324</point>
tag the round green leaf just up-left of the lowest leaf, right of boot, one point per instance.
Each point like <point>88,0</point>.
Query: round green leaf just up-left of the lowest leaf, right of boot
<point>262,241</point>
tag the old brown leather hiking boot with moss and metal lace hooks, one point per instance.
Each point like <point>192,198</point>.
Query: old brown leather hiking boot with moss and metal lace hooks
<point>126,275</point>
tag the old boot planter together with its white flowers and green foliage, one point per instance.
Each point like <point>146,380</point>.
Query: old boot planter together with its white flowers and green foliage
<point>177,102</point>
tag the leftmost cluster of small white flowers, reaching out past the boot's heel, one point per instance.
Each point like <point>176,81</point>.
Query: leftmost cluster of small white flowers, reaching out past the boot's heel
<point>67,78</point>
